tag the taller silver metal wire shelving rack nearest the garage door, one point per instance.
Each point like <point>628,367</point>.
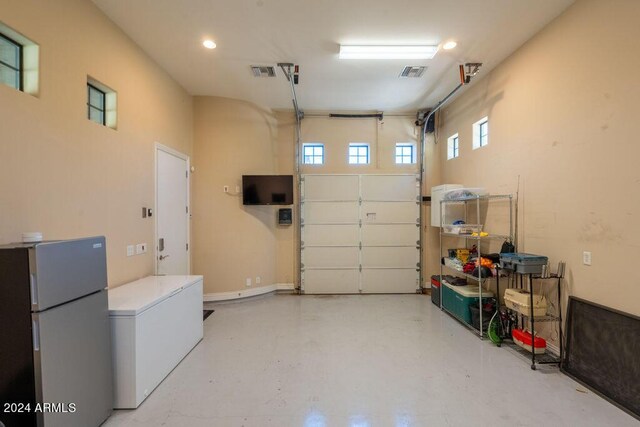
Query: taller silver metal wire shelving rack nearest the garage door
<point>470,203</point>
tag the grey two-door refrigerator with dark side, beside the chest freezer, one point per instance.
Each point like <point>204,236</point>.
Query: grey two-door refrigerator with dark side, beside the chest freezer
<point>55,348</point>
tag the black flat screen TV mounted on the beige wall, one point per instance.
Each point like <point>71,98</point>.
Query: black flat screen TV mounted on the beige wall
<point>267,189</point>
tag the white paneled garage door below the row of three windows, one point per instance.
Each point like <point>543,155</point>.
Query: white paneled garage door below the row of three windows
<point>360,234</point>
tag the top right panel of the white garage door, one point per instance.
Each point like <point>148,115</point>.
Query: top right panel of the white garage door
<point>389,187</point>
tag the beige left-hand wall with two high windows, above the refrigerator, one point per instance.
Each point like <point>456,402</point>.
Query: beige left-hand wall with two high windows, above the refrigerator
<point>65,175</point>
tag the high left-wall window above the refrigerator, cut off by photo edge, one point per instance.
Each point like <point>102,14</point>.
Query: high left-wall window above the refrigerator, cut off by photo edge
<point>19,61</point>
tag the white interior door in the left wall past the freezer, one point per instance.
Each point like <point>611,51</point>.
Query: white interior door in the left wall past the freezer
<point>172,212</point>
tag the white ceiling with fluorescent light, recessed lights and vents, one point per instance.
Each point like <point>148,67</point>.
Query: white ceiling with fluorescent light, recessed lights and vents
<point>264,32</point>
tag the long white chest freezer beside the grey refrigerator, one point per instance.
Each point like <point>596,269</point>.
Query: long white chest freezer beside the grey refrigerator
<point>155,322</point>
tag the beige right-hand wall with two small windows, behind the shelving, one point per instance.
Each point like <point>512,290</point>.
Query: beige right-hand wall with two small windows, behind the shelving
<point>563,113</point>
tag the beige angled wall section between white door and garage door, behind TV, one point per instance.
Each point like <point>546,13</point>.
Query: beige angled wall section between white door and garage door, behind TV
<point>232,242</point>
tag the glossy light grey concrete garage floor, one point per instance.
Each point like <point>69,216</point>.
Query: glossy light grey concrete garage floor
<point>393,360</point>
